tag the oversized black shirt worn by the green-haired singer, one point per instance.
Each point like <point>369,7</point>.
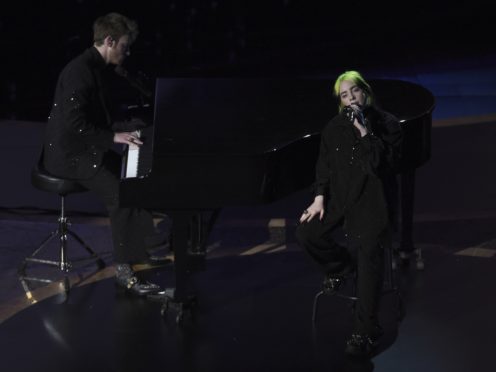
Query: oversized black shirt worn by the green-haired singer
<point>351,172</point>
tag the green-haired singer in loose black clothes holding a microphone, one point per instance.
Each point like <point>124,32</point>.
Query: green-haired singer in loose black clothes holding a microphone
<point>359,151</point>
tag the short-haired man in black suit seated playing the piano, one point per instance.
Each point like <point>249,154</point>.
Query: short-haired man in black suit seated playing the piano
<point>79,139</point>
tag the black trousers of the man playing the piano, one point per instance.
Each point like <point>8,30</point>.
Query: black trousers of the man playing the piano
<point>130,226</point>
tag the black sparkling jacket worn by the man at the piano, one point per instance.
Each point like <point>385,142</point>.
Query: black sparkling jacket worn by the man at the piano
<point>78,131</point>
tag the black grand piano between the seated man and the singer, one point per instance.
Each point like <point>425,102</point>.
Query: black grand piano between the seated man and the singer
<point>219,142</point>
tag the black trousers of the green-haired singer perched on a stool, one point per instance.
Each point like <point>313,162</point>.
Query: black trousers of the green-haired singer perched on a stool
<point>318,239</point>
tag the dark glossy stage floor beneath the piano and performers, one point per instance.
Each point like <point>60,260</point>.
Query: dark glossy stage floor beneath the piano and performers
<point>254,312</point>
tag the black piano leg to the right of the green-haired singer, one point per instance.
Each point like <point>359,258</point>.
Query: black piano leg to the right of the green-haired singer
<point>407,248</point>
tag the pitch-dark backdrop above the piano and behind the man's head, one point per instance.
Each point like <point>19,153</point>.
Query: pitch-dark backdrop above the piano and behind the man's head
<point>239,38</point>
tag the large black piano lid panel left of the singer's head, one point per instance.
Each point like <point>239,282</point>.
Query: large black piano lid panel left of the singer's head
<point>238,116</point>
